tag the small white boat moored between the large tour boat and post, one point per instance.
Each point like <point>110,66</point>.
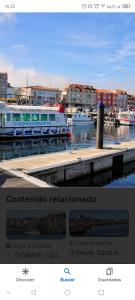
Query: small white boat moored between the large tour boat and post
<point>80,118</point>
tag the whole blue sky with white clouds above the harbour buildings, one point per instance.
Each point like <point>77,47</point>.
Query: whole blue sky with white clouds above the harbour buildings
<point>55,49</point>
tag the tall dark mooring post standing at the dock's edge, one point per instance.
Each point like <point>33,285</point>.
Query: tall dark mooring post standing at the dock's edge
<point>100,126</point>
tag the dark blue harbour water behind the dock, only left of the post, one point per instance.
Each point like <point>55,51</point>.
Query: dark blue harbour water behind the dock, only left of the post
<point>81,137</point>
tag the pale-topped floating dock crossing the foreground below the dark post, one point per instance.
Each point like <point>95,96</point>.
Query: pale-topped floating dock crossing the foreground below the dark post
<point>49,169</point>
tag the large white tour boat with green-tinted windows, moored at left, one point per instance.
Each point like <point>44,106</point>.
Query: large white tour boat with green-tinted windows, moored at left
<point>21,121</point>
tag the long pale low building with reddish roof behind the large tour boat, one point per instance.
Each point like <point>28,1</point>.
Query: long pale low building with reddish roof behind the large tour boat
<point>39,95</point>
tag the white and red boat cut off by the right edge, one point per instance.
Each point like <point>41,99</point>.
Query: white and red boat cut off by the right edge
<point>127,117</point>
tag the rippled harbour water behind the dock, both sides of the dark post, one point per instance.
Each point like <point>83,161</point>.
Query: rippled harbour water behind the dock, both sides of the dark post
<point>82,136</point>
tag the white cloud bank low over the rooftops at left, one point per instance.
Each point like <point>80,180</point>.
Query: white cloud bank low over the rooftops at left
<point>18,76</point>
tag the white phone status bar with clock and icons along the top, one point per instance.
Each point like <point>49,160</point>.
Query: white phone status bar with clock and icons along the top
<point>86,6</point>
